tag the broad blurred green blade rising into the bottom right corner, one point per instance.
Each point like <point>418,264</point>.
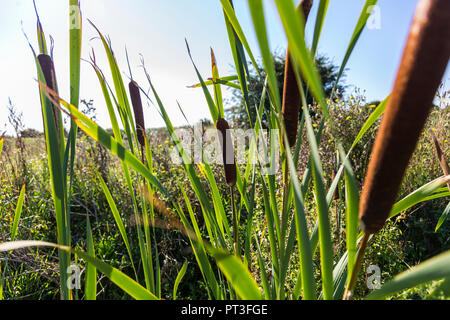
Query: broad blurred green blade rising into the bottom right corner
<point>433,269</point>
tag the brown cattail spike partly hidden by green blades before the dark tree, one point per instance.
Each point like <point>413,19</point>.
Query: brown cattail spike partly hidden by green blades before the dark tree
<point>291,93</point>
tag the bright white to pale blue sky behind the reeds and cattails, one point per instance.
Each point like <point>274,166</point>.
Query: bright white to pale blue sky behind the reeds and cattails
<point>157,29</point>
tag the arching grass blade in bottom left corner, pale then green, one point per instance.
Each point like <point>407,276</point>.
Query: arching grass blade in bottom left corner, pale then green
<point>124,282</point>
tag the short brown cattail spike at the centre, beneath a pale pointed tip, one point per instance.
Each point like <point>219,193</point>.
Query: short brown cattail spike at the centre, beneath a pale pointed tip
<point>226,145</point>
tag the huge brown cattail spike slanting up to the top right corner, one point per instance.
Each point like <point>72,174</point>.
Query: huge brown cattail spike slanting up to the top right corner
<point>422,67</point>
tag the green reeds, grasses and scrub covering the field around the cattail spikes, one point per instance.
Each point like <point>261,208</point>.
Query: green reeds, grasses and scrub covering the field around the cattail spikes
<point>114,203</point>
